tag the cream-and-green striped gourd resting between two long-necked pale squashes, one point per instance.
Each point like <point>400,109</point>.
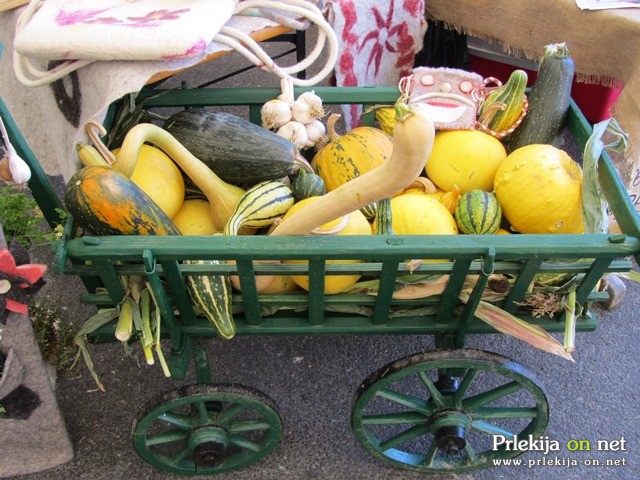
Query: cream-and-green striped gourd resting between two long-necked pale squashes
<point>260,206</point>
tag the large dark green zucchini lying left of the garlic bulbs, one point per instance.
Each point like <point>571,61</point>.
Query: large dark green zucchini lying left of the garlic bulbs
<point>238,151</point>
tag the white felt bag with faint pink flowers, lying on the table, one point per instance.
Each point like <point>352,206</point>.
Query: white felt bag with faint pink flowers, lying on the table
<point>123,29</point>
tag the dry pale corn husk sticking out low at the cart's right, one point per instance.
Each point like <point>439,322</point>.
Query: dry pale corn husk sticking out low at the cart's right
<point>511,325</point>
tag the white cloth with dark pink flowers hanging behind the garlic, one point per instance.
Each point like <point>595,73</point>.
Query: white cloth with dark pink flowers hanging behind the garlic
<point>378,41</point>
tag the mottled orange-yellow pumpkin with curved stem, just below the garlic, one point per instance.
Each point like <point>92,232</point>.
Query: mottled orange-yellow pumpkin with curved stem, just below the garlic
<point>349,156</point>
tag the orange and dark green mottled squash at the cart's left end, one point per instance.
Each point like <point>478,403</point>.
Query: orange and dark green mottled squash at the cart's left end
<point>106,202</point>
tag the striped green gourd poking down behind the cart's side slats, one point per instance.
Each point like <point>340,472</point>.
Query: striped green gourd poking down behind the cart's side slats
<point>212,295</point>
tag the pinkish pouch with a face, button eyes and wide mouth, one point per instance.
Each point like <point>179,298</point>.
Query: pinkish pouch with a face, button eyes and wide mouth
<point>447,94</point>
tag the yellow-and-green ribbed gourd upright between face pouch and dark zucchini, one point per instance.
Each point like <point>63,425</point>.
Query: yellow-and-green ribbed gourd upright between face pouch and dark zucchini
<point>502,108</point>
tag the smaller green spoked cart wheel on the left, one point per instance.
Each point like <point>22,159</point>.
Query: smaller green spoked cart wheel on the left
<point>207,429</point>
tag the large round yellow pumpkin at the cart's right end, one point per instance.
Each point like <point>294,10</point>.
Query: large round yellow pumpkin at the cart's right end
<point>540,190</point>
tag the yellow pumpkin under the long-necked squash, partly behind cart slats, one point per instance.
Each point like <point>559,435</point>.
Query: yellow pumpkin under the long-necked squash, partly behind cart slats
<point>357,224</point>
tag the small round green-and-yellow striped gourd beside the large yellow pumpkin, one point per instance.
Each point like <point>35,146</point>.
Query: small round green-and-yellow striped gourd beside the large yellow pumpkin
<point>478,212</point>
